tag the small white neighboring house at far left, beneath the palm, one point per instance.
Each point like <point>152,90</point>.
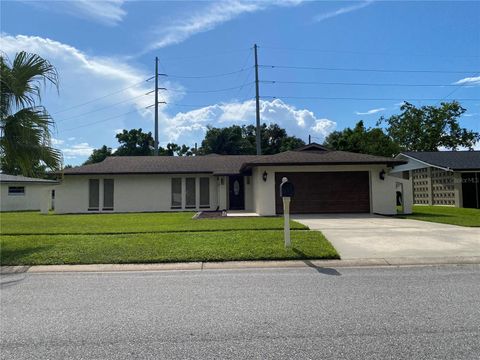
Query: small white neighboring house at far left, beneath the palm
<point>20,193</point>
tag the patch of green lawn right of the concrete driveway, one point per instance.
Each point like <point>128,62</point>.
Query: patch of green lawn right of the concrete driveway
<point>445,215</point>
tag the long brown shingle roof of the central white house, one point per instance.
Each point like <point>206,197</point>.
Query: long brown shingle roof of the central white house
<point>223,164</point>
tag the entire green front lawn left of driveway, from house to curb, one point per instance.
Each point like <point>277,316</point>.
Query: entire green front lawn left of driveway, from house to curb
<point>34,239</point>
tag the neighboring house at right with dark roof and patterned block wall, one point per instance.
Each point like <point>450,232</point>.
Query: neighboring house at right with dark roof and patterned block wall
<point>443,177</point>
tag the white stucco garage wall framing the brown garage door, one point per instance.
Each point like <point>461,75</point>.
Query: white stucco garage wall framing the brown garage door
<point>382,192</point>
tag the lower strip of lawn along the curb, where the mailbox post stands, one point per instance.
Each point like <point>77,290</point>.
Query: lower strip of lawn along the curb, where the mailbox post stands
<point>163,247</point>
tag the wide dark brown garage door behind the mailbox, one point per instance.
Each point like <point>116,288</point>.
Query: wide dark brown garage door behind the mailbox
<point>326,192</point>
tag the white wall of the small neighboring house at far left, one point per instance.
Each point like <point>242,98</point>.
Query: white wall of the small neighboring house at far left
<point>36,197</point>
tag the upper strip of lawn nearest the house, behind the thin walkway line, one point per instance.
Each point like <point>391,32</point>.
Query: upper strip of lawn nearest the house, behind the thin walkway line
<point>36,223</point>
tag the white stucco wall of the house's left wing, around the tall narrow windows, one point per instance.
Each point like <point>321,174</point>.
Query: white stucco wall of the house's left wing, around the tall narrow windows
<point>132,193</point>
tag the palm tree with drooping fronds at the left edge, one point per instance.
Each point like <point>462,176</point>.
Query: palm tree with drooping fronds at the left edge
<point>25,144</point>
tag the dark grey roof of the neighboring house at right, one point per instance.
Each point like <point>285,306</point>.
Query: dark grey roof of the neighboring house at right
<point>452,160</point>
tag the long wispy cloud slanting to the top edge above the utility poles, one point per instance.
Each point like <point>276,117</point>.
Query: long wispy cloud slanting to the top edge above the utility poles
<point>208,18</point>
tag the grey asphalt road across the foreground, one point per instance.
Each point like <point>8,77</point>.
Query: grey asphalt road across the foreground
<point>347,313</point>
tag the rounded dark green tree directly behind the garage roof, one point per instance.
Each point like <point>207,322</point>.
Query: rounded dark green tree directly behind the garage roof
<point>363,140</point>
